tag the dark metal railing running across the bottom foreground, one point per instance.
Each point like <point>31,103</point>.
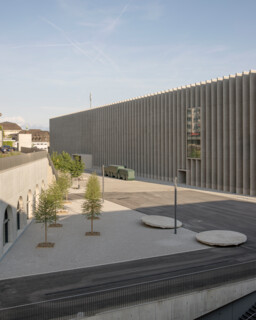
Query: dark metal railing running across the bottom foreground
<point>92,302</point>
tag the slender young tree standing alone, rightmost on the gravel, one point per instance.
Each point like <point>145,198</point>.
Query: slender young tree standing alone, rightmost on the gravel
<point>92,204</point>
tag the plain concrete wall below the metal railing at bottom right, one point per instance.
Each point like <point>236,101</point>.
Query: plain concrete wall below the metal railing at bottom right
<point>185,307</point>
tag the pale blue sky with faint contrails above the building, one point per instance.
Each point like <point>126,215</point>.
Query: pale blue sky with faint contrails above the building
<point>53,53</point>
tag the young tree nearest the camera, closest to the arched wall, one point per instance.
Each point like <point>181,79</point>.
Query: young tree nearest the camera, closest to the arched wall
<point>45,213</point>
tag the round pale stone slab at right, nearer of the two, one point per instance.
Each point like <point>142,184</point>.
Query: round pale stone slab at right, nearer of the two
<point>221,238</point>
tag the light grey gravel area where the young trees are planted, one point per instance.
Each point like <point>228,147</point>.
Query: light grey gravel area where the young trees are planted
<point>123,238</point>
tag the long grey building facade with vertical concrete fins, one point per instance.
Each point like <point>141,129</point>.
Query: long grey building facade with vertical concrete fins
<point>149,134</point>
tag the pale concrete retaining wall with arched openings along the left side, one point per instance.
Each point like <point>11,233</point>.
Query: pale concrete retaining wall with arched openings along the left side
<point>20,186</point>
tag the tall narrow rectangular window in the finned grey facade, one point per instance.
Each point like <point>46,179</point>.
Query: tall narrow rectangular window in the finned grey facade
<point>194,133</point>
